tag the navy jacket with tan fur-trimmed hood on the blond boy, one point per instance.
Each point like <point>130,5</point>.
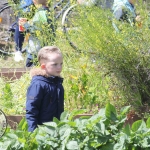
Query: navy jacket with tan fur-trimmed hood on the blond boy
<point>45,99</point>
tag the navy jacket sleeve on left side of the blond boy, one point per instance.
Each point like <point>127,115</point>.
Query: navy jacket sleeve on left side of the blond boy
<point>33,102</point>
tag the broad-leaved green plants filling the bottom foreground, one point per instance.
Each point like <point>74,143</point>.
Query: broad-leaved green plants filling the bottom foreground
<point>101,131</point>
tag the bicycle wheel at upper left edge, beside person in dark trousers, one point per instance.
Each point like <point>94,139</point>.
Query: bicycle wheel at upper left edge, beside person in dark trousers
<point>7,18</point>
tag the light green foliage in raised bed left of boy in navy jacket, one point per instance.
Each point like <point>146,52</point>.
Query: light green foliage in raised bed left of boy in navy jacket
<point>13,95</point>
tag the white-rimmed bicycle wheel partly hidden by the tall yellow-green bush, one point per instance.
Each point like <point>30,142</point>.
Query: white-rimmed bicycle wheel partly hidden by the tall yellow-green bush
<point>71,26</point>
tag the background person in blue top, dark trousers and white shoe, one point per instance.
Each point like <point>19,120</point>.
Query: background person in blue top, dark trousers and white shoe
<point>19,35</point>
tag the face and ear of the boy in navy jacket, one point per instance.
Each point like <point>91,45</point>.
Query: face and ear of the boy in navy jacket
<point>53,67</point>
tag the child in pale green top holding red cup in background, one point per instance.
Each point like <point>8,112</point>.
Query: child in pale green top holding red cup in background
<point>41,29</point>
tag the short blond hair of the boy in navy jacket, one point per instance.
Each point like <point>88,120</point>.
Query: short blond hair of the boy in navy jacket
<point>45,51</point>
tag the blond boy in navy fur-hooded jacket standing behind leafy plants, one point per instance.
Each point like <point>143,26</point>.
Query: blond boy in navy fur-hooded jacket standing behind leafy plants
<point>45,95</point>
